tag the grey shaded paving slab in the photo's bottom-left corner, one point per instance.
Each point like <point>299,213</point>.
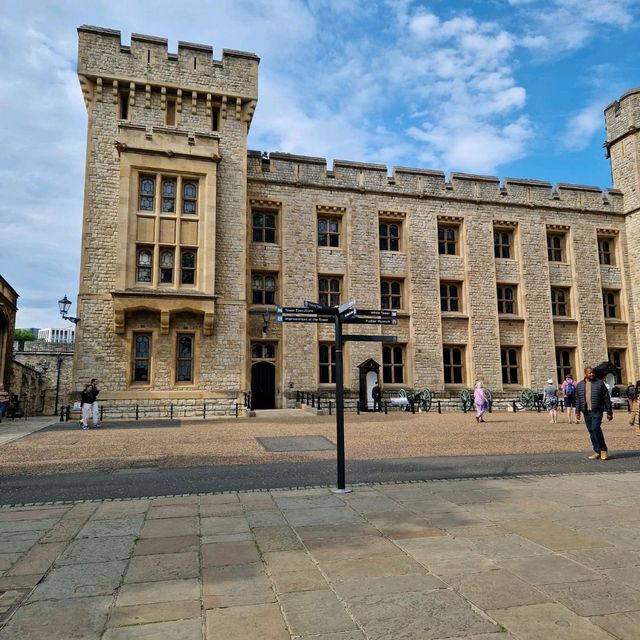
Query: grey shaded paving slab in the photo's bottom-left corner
<point>82,618</point>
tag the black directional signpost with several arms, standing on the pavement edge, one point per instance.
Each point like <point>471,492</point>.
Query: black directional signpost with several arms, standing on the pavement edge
<point>313,312</point>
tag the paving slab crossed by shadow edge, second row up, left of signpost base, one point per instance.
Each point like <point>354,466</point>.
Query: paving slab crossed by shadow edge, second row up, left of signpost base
<point>236,585</point>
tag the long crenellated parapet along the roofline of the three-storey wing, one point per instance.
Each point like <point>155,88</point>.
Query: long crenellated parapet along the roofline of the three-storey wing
<point>301,171</point>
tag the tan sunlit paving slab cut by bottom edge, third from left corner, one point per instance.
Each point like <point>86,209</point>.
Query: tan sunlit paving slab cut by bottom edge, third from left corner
<point>263,621</point>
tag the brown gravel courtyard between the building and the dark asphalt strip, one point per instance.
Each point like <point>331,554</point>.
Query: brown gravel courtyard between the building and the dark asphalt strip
<point>233,441</point>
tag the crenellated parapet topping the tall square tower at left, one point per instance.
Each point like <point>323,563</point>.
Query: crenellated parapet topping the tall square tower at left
<point>147,60</point>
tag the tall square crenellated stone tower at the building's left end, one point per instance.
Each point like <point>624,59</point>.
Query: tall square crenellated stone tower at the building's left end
<point>164,226</point>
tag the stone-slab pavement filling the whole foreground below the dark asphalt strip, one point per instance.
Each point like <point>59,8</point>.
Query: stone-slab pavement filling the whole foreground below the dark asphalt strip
<point>524,558</point>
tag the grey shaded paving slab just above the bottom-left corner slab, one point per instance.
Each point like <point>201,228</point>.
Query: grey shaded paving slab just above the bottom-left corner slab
<point>80,580</point>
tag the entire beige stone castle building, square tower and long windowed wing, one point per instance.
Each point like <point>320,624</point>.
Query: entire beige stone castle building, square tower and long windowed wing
<point>190,241</point>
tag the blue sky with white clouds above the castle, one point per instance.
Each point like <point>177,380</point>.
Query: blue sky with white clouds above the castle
<point>501,87</point>
